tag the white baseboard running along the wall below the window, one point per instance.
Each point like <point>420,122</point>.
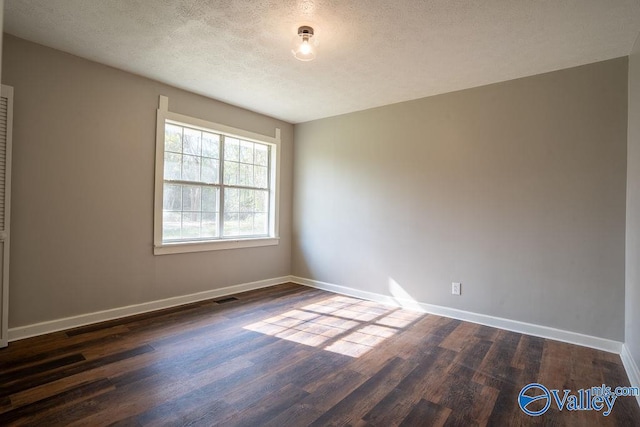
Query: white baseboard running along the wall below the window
<point>27,331</point>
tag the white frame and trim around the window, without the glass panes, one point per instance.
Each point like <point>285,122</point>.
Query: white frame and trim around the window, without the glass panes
<point>163,248</point>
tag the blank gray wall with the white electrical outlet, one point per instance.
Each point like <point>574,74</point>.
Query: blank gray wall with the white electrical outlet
<point>516,189</point>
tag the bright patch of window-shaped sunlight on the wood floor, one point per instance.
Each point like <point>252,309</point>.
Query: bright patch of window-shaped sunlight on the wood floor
<point>339,324</point>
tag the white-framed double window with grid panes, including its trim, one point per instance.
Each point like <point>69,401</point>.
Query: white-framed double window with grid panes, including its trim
<point>216,186</point>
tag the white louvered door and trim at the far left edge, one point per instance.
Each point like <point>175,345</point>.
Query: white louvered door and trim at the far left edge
<point>6,131</point>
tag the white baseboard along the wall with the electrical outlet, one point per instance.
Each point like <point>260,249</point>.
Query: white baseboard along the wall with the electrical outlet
<point>483,319</point>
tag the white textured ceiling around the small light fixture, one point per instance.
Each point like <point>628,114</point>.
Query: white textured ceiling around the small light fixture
<point>370,53</point>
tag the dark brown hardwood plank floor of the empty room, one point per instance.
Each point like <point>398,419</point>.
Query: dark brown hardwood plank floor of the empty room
<point>294,356</point>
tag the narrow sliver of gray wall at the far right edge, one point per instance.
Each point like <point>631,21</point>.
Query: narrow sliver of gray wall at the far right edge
<point>632,325</point>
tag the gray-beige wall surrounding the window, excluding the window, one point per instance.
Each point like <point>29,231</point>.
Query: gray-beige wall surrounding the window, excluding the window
<point>82,213</point>
